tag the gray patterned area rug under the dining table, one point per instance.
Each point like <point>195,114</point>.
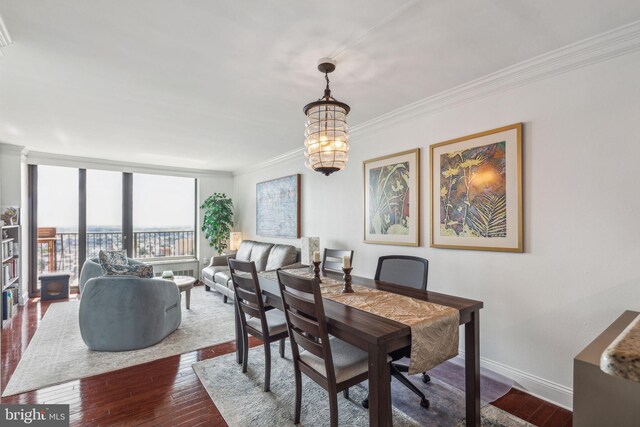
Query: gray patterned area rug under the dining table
<point>241,401</point>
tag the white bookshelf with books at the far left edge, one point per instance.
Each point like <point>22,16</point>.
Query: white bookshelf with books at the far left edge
<point>10,273</point>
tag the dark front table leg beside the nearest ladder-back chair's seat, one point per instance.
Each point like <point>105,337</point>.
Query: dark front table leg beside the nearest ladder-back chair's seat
<point>380,414</point>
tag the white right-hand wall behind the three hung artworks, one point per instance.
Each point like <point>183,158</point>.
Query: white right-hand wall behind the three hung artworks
<point>582,212</point>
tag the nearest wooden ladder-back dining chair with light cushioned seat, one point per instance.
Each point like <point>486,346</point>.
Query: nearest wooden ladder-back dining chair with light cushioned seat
<point>332,363</point>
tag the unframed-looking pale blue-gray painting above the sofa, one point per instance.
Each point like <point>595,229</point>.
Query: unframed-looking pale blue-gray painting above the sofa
<point>278,207</point>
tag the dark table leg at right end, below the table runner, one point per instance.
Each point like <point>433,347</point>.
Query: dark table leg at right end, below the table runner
<point>472,369</point>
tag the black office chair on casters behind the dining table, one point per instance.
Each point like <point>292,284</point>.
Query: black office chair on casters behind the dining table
<point>412,272</point>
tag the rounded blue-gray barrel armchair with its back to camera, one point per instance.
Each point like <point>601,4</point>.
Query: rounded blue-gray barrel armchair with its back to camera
<point>120,313</point>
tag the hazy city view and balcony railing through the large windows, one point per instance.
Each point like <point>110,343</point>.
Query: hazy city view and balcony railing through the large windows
<point>163,214</point>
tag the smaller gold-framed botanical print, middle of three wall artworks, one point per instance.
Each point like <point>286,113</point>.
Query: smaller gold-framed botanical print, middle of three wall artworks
<point>392,199</point>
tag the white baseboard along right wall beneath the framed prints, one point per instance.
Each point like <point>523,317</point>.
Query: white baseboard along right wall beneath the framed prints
<point>536,386</point>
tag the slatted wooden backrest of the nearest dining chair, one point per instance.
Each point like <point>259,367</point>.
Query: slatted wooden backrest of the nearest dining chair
<point>306,322</point>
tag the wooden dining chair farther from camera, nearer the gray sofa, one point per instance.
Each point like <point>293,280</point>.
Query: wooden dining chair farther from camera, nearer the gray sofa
<point>268,326</point>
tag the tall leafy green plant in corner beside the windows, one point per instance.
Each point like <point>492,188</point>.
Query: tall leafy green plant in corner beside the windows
<point>218,220</point>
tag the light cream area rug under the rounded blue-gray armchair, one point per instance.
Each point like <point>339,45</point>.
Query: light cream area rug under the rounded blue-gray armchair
<point>57,354</point>
